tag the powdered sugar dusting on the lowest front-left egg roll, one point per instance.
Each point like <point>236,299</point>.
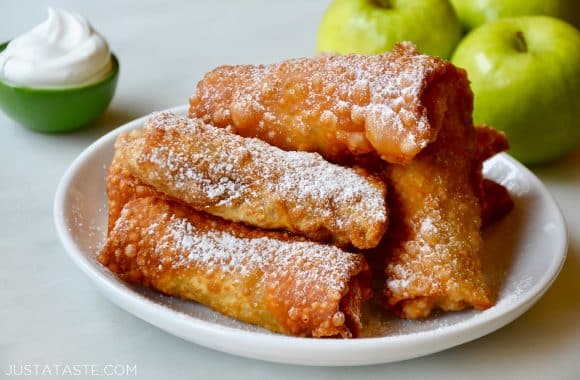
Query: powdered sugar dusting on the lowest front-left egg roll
<point>228,252</point>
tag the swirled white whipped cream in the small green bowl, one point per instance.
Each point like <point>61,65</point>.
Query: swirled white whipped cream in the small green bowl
<point>63,51</point>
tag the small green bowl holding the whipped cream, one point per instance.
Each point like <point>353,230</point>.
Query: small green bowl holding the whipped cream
<point>58,110</point>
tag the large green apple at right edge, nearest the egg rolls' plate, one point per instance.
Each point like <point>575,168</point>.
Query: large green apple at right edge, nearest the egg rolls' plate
<point>525,74</point>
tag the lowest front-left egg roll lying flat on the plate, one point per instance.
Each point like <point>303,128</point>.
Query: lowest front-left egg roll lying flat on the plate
<point>269,278</point>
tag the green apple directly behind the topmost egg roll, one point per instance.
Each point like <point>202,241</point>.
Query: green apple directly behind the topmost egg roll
<point>374,26</point>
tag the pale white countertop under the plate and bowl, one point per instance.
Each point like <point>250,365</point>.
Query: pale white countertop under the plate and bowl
<point>50,313</point>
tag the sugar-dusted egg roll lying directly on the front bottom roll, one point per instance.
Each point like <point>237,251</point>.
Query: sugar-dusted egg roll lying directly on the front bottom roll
<point>247,180</point>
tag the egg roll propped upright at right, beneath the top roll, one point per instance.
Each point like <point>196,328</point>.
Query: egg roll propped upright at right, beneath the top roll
<point>435,239</point>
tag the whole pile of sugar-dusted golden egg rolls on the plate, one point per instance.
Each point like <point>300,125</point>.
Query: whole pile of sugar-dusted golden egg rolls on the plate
<point>262,202</point>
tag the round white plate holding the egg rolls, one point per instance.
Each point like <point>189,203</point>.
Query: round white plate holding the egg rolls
<point>525,250</point>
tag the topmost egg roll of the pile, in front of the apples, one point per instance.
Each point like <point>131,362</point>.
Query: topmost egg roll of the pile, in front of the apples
<point>390,105</point>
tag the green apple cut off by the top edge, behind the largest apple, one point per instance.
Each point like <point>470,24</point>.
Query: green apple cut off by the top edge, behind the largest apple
<point>474,13</point>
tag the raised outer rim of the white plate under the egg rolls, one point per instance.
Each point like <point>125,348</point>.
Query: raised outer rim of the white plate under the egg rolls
<point>305,351</point>
